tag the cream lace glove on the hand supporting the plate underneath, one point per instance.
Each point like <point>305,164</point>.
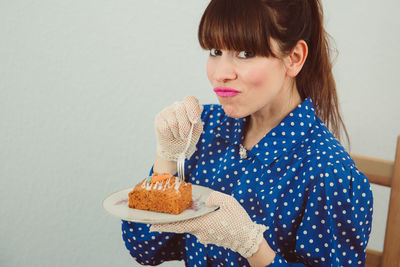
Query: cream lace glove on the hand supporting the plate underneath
<point>229,227</point>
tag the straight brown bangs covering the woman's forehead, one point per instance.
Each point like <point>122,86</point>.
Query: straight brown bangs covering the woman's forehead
<point>236,25</point>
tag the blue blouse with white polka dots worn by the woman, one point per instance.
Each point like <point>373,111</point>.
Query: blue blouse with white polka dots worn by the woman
<point>298,181</point>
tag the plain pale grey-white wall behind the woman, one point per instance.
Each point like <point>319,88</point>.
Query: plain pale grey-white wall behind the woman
<point>80,84</point>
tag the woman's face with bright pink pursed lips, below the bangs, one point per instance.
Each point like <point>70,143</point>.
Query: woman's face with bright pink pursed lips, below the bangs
<point>247,84</point>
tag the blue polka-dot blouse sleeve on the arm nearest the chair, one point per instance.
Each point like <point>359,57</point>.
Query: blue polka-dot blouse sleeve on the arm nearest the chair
<point>336,223</point>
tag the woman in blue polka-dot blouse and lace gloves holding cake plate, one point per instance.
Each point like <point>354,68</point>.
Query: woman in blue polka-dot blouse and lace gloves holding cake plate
<point>289,193</point>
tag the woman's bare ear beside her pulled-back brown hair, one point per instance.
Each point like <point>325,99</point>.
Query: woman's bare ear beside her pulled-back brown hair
<point>296,59</point>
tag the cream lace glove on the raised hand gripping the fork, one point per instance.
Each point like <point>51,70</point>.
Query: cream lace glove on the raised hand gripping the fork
<point>173,125</point>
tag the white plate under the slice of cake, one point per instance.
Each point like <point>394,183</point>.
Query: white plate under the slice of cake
<point>117,205</point>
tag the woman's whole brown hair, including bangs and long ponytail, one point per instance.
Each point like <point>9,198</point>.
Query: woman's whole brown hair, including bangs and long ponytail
<point>250,25</point>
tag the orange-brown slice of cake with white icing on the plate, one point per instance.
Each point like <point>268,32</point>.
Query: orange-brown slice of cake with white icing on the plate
<point>163,193</point>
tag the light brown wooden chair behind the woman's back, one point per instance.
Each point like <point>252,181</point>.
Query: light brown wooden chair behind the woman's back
<point>386,173</point>
